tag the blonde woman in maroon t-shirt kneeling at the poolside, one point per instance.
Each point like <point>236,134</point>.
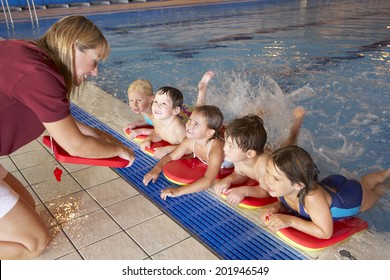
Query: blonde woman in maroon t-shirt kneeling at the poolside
<point>36,82</point>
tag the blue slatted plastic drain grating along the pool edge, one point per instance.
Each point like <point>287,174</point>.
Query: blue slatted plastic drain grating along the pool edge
<point>230,235</point>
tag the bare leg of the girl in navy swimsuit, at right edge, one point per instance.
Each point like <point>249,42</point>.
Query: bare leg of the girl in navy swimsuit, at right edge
<point>372,189</point>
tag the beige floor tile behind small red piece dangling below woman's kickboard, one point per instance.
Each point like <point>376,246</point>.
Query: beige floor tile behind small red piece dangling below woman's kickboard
<point>40,173</point>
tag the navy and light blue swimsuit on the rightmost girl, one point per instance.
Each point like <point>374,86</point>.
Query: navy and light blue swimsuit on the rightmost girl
<point>346,197</point>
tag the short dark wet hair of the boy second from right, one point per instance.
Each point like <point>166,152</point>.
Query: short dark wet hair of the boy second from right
<point>248,132</point>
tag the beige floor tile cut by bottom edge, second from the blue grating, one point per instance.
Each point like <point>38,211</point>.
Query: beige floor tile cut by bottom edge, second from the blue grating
<point>117,247</point>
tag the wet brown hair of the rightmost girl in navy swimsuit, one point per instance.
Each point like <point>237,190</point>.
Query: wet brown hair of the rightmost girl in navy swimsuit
<point>298,166</point>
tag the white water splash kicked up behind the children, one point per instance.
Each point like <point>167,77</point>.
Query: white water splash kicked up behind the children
<point>242,94</point>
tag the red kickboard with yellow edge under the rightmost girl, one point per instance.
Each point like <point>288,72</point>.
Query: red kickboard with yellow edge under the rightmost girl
<point>342,229</point>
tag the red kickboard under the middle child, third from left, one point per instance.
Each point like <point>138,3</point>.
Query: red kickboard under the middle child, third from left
<point>188,170</point>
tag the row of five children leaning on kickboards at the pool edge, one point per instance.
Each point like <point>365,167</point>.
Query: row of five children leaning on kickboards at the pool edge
<point>288,173</point>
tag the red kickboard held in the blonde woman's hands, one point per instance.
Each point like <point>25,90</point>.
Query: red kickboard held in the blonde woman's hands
<point>63,156</point>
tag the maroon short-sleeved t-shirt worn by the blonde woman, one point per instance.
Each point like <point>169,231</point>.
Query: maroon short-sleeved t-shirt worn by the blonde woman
<point>31,92</point>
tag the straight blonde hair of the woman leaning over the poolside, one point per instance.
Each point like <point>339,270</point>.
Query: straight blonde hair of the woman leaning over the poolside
<point>66,34</point>
